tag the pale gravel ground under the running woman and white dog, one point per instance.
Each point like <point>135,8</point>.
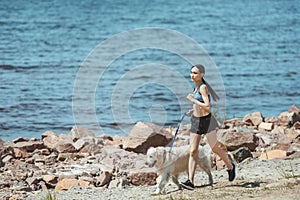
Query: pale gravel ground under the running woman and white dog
<point>269,180</point>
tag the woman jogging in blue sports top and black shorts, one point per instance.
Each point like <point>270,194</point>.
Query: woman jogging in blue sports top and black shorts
<point>203,123</point>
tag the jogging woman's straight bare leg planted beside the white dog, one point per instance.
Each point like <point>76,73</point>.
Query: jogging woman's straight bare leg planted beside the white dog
<point>194,146</point>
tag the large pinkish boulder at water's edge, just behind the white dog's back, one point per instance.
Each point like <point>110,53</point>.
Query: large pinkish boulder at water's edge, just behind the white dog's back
<point>144,135</point>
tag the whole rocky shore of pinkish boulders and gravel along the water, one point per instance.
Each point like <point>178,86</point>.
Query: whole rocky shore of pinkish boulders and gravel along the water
<point>81,165</point>
